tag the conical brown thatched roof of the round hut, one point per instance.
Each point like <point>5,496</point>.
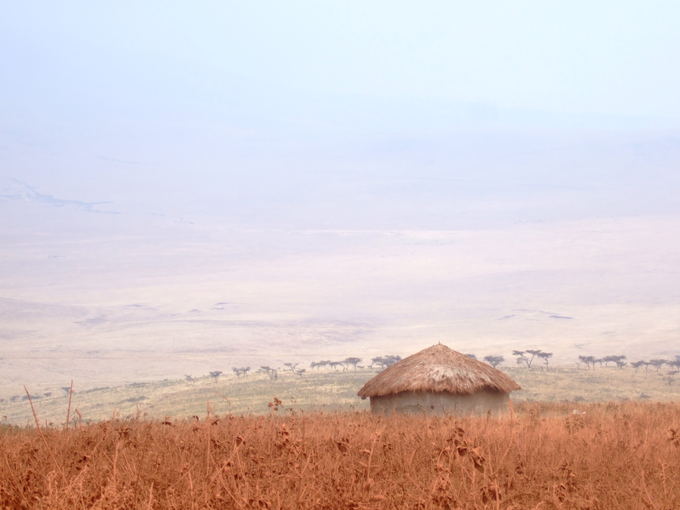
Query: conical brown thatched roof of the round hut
<point>438,369</point>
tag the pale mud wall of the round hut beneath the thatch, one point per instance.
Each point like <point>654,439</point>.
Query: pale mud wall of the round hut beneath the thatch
<point>480,403</point>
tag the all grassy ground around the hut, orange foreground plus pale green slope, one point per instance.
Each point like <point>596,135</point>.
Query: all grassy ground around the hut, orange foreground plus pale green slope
<point>575,439</point>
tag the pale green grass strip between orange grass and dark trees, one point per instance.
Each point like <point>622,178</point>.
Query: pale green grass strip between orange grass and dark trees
<point>322,391</point>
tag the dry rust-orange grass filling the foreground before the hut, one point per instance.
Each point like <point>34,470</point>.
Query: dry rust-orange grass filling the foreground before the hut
<point>615,456</point>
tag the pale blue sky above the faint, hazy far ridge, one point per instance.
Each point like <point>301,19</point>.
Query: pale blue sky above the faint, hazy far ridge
<point>572,57</point>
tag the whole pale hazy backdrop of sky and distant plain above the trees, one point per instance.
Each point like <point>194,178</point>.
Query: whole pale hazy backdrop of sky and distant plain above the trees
<point>185,188</point>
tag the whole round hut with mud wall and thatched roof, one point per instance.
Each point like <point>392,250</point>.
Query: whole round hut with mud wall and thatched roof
<point>439,380</point>
